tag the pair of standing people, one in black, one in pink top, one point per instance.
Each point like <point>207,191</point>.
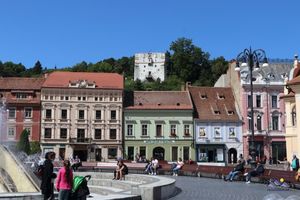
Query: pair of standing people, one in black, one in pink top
<point>64,179</point>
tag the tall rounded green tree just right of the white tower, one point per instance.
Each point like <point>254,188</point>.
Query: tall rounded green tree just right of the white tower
<point>189,62</point>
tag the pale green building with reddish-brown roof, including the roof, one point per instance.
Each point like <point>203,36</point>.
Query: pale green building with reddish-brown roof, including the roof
<point>159,124</point>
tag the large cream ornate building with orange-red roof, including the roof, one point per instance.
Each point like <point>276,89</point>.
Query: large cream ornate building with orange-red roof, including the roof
<point>82,115</point>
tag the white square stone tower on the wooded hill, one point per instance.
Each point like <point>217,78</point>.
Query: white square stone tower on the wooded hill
<point>149,66</point>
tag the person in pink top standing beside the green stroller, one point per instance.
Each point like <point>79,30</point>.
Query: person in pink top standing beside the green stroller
<point>64,181</point>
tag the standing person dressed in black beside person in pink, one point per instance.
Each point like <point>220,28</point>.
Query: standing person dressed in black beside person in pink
<point>47,185</point>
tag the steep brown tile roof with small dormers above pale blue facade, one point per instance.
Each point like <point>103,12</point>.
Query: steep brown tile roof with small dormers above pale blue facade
<point>214,104</point>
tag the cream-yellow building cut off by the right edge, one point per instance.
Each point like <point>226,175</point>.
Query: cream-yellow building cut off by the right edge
<point>292,107</point>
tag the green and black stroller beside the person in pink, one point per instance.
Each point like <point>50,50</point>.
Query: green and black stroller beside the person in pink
<point>80,189</point>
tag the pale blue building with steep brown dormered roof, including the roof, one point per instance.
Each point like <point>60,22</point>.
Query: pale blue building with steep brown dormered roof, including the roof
<point>217,126</point>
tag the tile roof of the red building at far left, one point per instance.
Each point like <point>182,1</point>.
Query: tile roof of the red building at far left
<point>18,83</point>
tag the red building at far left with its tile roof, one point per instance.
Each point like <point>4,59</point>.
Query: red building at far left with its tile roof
<point>20,108</point>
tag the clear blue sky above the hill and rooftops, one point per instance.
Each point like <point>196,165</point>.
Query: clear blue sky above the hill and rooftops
<point>63,33</point>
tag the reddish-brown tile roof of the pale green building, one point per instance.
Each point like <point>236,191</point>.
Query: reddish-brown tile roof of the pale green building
<point>160,100</point>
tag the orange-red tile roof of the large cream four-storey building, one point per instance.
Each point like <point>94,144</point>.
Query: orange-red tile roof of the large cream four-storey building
<point>60,79</point>
